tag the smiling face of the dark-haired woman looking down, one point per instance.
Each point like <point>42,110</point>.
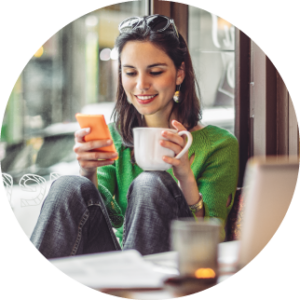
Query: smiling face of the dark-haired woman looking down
<point>149,78</point>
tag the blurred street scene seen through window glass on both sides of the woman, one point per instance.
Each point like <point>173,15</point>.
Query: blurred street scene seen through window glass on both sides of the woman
<point>75,70</point>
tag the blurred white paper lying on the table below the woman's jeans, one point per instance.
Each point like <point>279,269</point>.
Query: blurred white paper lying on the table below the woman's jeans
<point>118,269</point>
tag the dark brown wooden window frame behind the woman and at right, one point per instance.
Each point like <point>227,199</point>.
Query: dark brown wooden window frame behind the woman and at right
<point>266,121</point>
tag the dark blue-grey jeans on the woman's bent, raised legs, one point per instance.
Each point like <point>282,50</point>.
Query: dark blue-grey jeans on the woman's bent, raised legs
<point>73,219</point>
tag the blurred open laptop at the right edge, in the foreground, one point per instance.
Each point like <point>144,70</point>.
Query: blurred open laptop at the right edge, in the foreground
<point>269,189</point>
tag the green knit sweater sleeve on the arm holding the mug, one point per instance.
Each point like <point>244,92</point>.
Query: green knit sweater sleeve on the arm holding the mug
<point>219,178</point>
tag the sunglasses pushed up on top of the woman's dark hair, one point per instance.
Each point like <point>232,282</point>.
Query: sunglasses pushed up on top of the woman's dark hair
<point>157,23</point>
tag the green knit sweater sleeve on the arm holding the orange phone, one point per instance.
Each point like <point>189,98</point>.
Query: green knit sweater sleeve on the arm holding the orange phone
<point>107,186</point>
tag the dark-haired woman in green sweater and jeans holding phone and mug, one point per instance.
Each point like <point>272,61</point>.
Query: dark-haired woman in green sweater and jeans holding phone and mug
<point>156,88</point>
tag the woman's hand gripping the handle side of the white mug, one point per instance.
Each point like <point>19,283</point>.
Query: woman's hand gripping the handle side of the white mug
<point>181,167</point>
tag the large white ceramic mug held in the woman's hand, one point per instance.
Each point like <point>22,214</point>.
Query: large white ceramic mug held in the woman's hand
<point>148,152</point>
